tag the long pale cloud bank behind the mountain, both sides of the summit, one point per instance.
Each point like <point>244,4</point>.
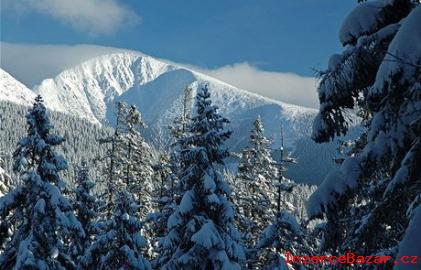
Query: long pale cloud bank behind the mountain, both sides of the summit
<point>31,64</point>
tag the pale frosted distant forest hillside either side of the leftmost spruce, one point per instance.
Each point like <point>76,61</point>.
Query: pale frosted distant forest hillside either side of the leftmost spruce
<point>80,134</point>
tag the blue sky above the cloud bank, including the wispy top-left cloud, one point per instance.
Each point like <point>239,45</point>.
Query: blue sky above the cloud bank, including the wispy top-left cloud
<point>269,35</point>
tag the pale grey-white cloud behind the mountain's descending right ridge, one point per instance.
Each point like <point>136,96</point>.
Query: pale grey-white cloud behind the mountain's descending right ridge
<point>286,87</point>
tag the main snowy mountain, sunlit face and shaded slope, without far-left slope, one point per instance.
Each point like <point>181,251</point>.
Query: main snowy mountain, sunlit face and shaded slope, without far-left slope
<point>90,90</point>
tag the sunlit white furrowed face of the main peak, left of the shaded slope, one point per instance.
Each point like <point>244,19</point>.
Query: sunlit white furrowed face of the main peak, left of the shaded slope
<point>87,89</point>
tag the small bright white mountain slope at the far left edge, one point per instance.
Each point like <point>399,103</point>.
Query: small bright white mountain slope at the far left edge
<point>14,91</point>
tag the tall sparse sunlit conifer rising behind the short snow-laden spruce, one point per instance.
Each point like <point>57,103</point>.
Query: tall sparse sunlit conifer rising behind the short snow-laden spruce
<point>128,160</point>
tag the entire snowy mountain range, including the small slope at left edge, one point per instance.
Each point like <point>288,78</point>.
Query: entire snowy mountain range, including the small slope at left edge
<point>89,91</point>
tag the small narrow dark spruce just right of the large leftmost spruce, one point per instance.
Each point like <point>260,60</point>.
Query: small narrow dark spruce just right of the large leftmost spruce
<point>86,206</point>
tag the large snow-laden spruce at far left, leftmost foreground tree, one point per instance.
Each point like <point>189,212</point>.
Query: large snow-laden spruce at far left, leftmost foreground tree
<point>44,217</point>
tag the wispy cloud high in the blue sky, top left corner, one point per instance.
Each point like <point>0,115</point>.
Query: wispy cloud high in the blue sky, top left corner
<point>92,16</point>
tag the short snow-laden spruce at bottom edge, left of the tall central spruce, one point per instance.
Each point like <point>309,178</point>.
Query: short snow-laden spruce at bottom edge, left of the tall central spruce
<point>120,242</point>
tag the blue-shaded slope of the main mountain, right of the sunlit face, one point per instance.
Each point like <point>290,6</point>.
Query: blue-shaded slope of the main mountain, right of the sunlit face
<point>159,108</point>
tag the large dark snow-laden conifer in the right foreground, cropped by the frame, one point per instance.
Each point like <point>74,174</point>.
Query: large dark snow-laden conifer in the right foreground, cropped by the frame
<point>379,71</point>
